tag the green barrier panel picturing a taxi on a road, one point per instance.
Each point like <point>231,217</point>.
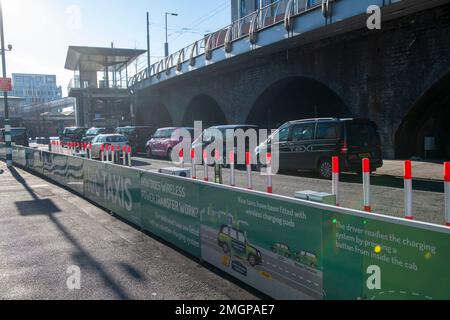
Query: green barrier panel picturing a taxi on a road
<point>271,244</point>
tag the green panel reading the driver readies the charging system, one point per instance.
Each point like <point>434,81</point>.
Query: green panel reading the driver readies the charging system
<point>371,259</point>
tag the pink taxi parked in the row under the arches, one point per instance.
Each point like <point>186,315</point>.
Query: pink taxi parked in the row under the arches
<point>162,143</point>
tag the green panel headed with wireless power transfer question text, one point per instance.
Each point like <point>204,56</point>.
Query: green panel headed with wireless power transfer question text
<point>171,210</point>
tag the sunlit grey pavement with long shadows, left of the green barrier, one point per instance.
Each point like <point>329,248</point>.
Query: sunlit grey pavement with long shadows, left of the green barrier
<point>46,231</point>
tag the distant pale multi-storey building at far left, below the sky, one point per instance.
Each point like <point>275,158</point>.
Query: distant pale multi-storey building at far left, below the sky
<point>36,88</point>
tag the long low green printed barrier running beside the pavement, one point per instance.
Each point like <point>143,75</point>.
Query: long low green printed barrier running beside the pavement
<point>284,247</point>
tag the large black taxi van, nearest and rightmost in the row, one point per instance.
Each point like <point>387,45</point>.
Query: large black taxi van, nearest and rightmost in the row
<point>310,145</point>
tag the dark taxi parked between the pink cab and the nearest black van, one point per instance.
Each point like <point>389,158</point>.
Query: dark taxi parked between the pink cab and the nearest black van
<point>207,138</point>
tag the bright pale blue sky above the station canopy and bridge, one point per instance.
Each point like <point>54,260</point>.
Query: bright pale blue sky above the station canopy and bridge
<point>41,31</point>
